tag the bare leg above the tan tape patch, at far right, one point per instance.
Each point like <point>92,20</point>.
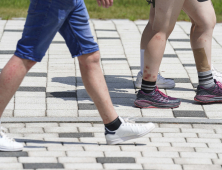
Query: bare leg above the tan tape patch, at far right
<point>202,25</point>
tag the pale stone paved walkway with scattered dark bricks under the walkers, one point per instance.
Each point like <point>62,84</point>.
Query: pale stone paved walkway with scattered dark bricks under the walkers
<point>56,120</point>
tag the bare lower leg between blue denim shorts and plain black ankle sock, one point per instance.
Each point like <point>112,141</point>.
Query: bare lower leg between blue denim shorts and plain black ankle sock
<point>96,87</point>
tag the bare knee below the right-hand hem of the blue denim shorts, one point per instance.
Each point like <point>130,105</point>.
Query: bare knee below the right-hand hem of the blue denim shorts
<point>87,61</point>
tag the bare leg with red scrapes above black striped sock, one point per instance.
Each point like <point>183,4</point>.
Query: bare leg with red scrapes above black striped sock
<point>166,13</point>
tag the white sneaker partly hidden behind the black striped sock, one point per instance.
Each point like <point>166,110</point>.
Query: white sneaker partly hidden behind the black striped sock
<point>162,83</point>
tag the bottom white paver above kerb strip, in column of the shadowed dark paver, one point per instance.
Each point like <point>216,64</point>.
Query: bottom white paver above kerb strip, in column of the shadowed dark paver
<point>62,113</point>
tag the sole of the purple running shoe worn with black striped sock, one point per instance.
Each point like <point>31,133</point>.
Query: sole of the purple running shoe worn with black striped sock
<point>145,104</point>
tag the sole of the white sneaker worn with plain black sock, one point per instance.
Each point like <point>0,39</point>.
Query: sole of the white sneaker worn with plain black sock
<point>123,139</point>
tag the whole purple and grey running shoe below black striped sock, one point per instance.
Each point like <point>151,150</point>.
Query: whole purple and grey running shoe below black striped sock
<point>155,99</point>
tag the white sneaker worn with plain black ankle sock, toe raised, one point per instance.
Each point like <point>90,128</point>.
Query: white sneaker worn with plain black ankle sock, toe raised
<point>127,130</point>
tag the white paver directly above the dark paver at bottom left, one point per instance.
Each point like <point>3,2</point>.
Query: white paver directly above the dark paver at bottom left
<point>37,160</point>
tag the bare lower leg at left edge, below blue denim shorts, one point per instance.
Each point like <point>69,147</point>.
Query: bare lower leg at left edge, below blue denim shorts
<point>11,77</point>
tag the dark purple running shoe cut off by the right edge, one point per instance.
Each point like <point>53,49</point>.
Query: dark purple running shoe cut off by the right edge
<point>210,95</point>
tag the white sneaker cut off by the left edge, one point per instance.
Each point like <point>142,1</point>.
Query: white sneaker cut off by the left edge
<point>8,144</point>
